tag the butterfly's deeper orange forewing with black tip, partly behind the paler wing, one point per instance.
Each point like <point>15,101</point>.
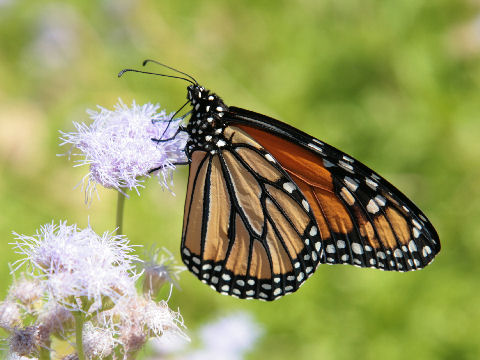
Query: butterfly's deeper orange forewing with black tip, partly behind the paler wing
<point>363,220</point>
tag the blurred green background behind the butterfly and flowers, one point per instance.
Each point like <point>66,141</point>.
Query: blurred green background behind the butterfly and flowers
<point>393,83</point>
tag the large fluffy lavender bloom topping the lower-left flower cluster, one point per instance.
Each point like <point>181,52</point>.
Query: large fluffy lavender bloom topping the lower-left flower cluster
<point>76,264</point>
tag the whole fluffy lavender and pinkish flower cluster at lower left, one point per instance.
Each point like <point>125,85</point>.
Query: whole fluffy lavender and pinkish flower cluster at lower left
<point>77,274</point>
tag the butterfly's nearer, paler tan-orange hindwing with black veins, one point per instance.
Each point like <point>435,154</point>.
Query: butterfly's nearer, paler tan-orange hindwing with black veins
<point>248,230</point>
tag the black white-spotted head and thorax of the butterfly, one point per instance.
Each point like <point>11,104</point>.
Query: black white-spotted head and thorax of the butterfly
<point>206,126</point>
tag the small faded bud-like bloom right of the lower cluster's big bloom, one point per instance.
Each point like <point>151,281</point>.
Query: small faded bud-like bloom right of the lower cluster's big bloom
<point>161,267</point>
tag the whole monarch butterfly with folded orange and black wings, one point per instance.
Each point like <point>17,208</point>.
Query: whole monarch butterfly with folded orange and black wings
<point>267,204</point>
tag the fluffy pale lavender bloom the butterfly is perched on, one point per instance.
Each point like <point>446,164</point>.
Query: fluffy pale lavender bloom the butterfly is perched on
<point>118,146</point>
